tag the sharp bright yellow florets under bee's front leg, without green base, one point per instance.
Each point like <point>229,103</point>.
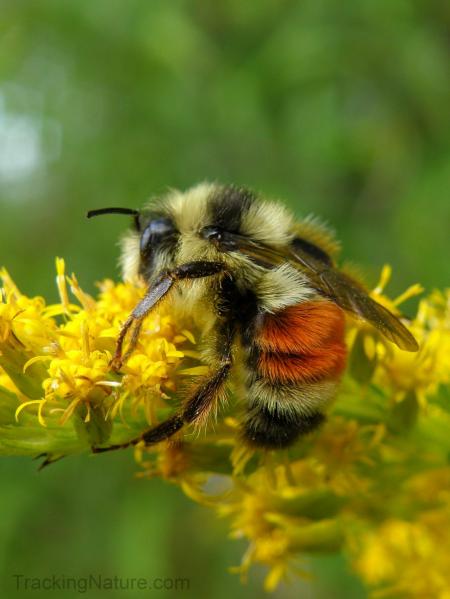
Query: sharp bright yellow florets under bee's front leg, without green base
<point>57,357</point>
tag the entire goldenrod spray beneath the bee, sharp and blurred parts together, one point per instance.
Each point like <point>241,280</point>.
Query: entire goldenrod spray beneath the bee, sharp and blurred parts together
<point>373,483</point>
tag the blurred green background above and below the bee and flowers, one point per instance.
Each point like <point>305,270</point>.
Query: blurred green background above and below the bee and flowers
<point>341,109</point>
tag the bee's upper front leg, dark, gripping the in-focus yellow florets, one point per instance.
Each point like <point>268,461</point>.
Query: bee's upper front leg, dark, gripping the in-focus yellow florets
<point>164,282</point>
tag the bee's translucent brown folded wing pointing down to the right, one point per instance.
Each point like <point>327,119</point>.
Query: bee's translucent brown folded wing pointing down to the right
<point>337,286</point>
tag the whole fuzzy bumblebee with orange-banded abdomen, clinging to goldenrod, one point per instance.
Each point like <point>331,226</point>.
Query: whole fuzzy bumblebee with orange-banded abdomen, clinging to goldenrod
<point>272,297</point>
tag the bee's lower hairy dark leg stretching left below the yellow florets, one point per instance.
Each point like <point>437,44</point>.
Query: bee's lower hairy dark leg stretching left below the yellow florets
<point>198,406</point>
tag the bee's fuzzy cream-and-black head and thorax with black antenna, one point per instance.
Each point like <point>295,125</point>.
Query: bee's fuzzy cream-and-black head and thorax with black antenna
<point>209,222</point>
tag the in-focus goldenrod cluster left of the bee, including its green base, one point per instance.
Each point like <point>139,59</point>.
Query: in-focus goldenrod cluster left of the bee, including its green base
<point>58,394</point>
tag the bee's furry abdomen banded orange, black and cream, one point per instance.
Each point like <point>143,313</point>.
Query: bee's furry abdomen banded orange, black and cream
<point>295,359</point>
